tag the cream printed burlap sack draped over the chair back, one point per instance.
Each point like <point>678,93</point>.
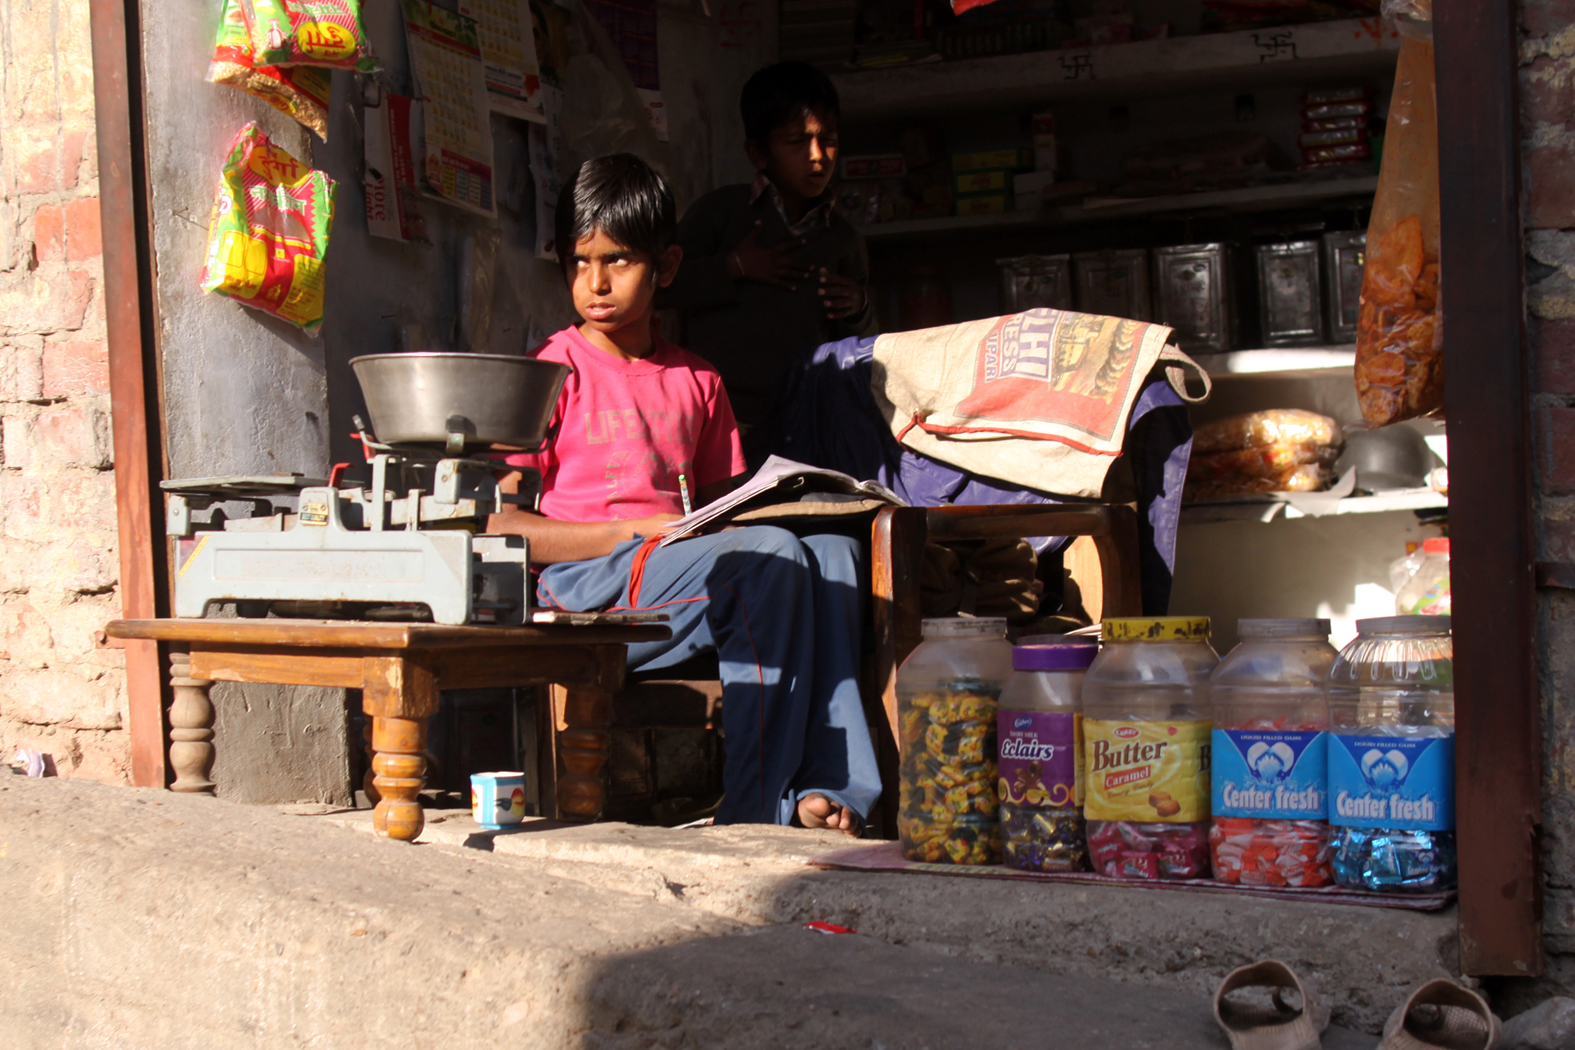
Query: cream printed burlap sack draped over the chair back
<point>1037,399</point>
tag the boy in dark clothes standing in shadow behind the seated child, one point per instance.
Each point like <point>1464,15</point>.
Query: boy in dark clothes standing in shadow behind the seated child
<point>773,270</point>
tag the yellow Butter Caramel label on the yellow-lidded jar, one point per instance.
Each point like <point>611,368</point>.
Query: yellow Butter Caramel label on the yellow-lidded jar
<point>1147,771</point>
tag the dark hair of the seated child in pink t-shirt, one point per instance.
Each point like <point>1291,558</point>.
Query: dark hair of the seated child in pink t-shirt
<point>623,198</point>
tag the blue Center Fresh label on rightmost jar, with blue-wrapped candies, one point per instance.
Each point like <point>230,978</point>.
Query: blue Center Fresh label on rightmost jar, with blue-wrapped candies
<point>1399,783</point>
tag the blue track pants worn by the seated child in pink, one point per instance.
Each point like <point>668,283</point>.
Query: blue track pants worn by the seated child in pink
<point>785,619</point>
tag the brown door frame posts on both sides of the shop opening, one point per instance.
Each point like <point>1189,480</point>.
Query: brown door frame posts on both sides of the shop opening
<point>1499,756</point>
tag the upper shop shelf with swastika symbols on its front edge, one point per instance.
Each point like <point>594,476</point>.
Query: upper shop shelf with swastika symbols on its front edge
<point>1352,50</point>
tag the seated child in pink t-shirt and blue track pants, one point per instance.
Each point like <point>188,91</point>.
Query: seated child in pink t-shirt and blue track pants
<point>642,424</point>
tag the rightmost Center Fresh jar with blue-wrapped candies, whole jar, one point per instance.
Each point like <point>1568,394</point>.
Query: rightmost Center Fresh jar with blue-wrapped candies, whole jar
<point>1393,756</point>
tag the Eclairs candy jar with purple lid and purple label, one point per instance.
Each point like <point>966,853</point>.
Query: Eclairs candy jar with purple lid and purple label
<point>1042,777</point>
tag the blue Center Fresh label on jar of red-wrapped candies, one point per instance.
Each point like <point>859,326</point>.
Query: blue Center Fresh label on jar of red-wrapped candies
<point>1272,774</point>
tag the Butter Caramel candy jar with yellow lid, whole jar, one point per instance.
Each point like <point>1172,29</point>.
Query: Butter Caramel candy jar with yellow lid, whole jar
<point>1146,749</point>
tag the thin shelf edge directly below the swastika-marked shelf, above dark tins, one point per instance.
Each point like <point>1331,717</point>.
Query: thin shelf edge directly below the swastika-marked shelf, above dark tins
<point>1250,199</point>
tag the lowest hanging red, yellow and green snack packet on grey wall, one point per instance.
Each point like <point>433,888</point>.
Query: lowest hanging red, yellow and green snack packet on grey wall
<point>269,232</point>
